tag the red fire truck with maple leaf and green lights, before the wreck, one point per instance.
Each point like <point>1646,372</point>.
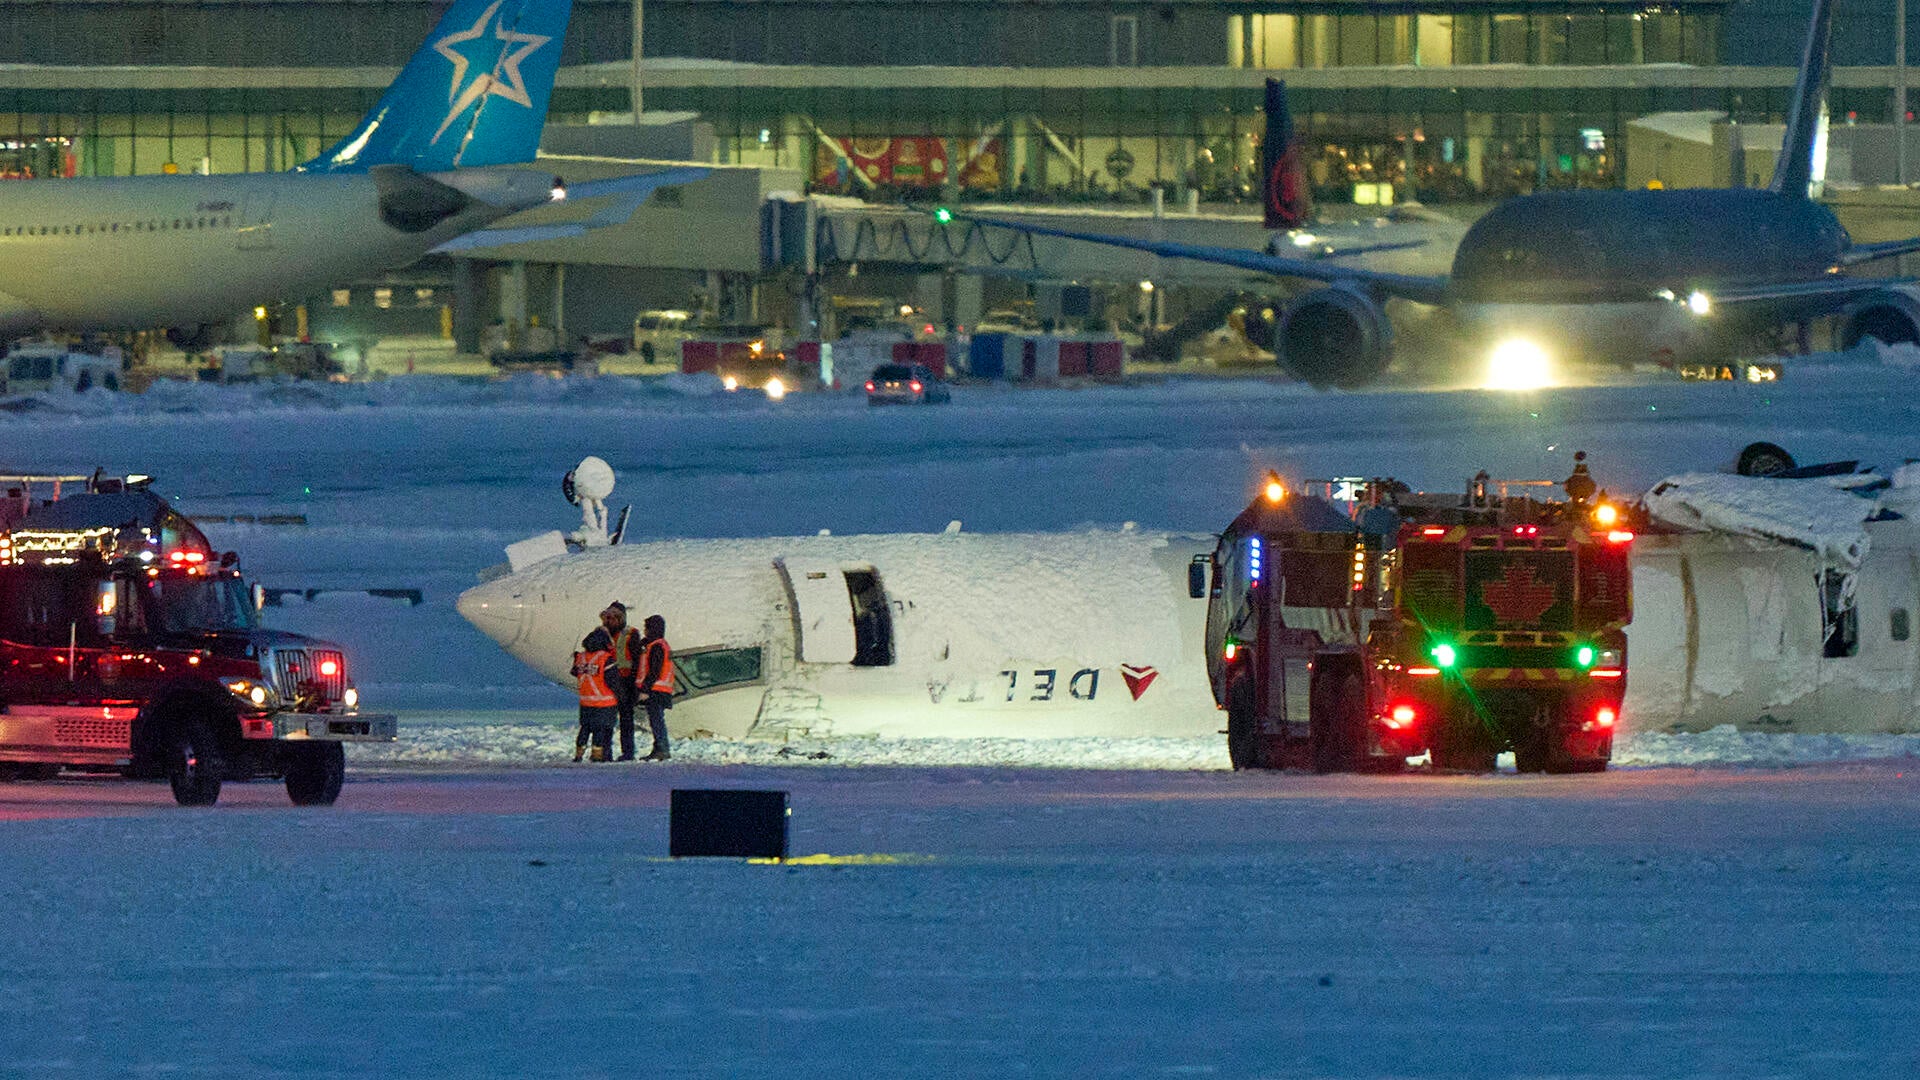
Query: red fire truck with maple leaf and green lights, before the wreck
<point>1358,624</point>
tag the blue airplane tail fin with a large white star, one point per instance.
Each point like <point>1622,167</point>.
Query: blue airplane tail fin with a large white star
<point>473,95</point>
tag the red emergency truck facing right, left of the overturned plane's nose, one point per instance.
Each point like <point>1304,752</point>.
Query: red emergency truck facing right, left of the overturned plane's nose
<point>130,647</point>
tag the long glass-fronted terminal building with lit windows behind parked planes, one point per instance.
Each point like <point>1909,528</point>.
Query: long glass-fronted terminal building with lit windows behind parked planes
<point>1007,99</point>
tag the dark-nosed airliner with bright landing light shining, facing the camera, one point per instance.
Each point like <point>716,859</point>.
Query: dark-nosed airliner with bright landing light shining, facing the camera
<point>1604,276</point>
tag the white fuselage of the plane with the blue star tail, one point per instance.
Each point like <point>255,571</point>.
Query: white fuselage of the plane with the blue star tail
<point>141,253</point>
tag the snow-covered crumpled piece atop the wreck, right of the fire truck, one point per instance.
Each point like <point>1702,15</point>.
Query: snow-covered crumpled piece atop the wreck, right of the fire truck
<point>1815,514</point>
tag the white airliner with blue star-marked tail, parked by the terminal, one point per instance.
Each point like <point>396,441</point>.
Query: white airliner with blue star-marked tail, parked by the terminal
<point>429,168</point>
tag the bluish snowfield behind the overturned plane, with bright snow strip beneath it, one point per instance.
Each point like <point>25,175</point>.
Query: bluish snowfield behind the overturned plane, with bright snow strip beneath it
<point>420,483</point>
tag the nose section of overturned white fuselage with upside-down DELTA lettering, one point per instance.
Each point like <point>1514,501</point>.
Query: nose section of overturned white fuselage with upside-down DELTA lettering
<point>992,637</point>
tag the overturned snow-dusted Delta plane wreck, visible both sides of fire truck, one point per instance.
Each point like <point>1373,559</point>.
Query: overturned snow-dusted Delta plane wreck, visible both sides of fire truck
<point>1767,604</point>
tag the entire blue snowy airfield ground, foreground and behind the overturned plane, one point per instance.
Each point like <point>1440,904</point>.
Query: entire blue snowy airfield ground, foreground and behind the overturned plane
<point>1739,906</point>
